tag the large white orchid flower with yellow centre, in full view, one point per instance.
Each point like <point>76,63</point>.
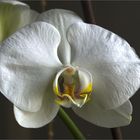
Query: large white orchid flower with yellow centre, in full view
<point>62,61</point>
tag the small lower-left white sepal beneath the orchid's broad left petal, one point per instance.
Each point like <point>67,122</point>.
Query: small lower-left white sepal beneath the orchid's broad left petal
<point>46,114</point>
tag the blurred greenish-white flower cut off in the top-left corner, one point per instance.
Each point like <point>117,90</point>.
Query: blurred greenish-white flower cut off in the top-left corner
<point>14,15</point>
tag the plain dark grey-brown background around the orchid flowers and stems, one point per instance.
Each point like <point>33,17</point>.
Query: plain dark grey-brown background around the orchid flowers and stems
<point>121,17</point>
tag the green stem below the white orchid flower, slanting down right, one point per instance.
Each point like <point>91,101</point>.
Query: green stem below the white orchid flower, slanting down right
<point>70,125</point>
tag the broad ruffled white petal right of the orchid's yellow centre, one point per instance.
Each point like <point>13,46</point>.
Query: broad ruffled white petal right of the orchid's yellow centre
<point>113,63</point>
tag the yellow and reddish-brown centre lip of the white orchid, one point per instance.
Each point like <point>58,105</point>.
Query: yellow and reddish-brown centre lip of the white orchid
<point>72,85</point>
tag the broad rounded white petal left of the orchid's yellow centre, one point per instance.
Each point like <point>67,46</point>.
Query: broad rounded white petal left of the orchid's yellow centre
<point>28,61</point>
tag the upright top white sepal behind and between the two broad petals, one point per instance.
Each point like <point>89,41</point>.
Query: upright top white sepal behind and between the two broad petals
<point>61,19</point>
